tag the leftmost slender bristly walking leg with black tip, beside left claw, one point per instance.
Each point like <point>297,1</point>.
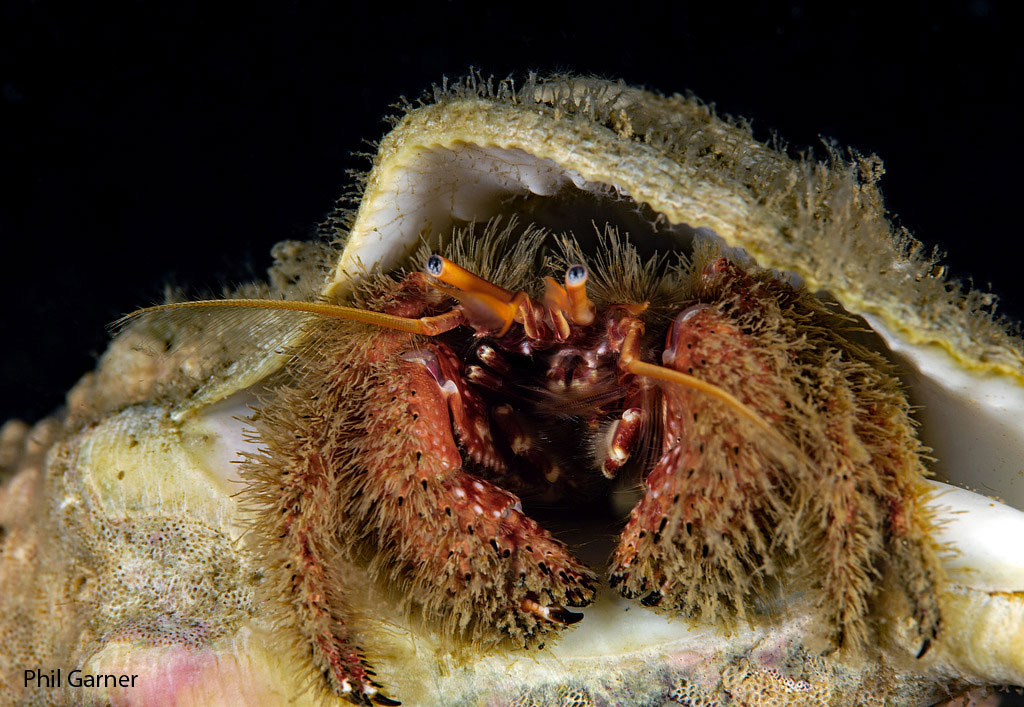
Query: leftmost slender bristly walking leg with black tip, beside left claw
<point>295,495</point>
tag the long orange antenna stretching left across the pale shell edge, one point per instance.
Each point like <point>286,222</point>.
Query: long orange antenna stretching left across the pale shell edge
<point>428,326</point>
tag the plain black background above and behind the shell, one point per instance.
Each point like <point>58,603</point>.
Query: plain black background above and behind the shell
<point>149,145</point>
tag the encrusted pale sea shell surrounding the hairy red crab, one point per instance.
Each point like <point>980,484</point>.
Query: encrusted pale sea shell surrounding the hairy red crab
<point>124,550</point>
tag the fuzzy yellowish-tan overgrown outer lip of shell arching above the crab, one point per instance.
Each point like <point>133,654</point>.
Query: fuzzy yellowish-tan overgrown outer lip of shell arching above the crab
<point>823,218</point>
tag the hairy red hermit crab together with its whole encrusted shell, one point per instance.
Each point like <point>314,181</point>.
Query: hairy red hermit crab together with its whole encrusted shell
<point>603,402</point>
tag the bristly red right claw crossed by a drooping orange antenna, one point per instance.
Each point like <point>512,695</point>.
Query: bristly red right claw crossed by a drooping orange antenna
<point>699,540</point>
